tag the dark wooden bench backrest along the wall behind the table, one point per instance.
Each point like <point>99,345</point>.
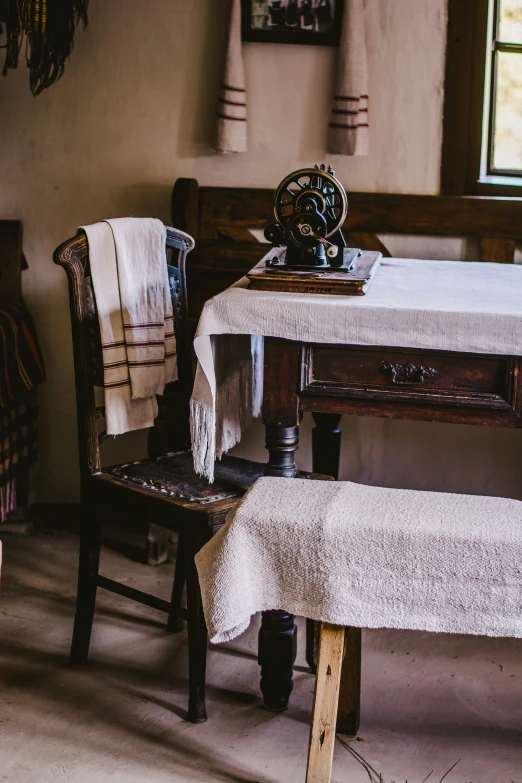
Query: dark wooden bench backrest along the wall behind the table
<point>219,219</point>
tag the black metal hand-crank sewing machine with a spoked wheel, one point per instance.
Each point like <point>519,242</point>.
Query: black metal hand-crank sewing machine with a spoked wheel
<point>310,207</point>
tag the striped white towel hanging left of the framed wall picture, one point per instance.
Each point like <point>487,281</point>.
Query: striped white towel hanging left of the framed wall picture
<point>231,112</point>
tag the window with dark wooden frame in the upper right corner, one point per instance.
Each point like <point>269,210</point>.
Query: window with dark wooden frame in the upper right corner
<point>482,141</point>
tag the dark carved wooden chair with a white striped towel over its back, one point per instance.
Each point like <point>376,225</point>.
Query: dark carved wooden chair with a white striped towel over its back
<point>163,489</point>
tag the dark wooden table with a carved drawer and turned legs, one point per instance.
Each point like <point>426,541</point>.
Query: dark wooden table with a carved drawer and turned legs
<point>398,383</point>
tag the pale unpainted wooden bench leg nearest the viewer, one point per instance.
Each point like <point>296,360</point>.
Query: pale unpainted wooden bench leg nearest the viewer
<point>326,696</point>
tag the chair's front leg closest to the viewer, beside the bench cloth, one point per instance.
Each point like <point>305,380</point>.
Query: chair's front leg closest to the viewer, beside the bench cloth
<point>197,637</point>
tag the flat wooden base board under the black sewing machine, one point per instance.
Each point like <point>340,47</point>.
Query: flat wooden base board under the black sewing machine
<point>270,274</point>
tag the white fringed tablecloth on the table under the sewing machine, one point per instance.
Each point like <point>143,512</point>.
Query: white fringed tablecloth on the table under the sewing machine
<point>441,305</point>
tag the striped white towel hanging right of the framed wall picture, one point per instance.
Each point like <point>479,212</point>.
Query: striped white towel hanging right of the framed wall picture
<point>348,132</point>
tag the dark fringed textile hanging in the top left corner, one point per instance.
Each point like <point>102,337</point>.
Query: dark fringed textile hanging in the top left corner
<point>49,27</point>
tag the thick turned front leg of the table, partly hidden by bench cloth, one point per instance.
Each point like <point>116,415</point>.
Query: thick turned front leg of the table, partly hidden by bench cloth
<point>278,634</point>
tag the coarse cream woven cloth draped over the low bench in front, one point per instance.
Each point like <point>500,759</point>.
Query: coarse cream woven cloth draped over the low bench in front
<point>367,557</point>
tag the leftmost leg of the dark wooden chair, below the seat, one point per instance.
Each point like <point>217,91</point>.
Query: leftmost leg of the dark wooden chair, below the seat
<point>90,542</point>
